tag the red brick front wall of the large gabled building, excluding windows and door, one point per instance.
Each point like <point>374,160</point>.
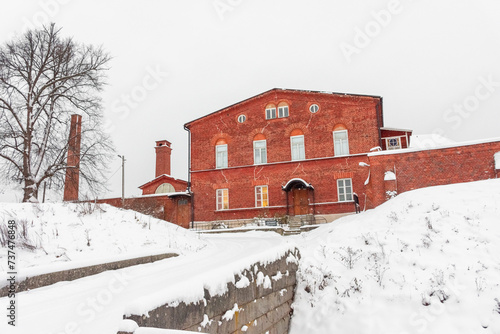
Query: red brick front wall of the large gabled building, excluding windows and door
<point>360,115</point>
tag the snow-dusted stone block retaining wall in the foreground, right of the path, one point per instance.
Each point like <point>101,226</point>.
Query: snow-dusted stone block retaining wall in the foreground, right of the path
<point>259,302</point>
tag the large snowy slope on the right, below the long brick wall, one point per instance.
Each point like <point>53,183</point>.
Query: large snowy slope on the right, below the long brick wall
<point>427,261</point>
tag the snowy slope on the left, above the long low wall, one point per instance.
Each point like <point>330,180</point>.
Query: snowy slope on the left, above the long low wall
<point>61,236</point>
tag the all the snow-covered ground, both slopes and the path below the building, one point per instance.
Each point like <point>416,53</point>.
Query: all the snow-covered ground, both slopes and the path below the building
<point>427,261</point>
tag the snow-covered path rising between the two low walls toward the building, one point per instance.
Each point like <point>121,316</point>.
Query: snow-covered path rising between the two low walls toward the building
<point>97,303</point>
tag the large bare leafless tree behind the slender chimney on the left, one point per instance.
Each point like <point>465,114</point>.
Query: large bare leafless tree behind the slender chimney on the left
<point>43,80</point>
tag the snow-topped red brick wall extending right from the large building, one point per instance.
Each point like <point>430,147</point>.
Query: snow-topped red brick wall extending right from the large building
<point>425,168</point>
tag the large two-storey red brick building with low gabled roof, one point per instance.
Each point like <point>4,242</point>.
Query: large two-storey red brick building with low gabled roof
<point>286,152</point>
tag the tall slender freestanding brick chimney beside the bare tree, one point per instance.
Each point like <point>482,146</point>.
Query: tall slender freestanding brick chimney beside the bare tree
<point>72,181</point>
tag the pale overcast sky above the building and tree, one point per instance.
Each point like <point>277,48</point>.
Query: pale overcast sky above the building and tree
<point>436,63</point>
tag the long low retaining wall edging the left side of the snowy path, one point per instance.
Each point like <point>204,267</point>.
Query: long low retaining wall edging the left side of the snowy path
<point>39,281</point>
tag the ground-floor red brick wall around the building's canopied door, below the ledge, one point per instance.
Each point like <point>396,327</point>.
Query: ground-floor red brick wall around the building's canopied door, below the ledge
<point>321,174</point>
